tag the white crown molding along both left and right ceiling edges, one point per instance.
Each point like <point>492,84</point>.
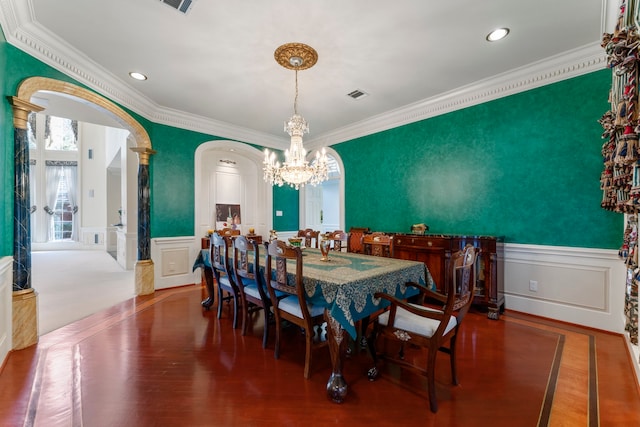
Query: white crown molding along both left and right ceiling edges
<point>22,30</point>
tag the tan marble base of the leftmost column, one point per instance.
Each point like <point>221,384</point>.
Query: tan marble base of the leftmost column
<point>25,319</point>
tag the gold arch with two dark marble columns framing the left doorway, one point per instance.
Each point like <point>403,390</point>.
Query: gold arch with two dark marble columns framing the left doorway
<point>24,299</point>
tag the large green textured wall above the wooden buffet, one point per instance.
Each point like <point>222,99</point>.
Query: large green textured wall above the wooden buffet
<point>526,167</point>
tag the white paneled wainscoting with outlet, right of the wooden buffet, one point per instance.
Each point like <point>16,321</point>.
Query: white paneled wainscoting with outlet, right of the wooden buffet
<point>576,285</point>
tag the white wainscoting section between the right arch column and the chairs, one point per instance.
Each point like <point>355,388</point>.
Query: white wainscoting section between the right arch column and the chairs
<point>173,259</point>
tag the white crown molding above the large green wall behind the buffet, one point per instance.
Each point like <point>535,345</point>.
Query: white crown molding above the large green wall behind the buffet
<point>551,70</point>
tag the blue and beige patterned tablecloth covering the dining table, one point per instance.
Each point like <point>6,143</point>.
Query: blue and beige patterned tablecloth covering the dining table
<point>346,283</point>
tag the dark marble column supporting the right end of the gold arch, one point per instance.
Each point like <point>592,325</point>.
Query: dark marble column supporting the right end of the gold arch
<point>144,276</point>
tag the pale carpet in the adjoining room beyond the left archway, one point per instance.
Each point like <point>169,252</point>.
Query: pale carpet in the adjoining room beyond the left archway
<point>72,285</point>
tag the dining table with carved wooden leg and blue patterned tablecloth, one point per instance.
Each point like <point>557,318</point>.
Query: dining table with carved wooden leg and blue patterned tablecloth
<point>345,284</point>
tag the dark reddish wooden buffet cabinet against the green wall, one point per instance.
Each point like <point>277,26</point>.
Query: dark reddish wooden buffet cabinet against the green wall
<point>435,251</point>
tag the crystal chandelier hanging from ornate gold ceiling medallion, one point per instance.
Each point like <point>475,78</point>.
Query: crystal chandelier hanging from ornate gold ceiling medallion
<point>295,170</point>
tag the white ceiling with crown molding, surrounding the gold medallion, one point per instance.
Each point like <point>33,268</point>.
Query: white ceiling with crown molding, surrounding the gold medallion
<point>212,69</point>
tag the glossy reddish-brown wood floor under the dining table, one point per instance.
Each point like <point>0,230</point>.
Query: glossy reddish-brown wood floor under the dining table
<point>160,360</point>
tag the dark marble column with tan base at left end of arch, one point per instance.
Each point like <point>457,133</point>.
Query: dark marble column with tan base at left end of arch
<point>24,301</point>
